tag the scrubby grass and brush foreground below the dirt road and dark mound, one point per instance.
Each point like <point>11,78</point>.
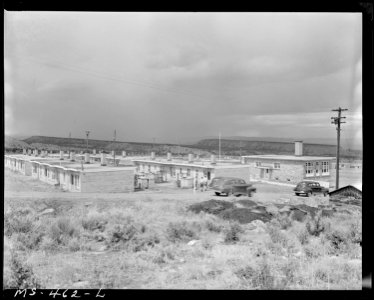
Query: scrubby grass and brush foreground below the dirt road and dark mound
<point>154,243</point>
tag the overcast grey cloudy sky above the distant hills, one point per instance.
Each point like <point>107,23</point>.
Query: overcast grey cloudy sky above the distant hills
<point>176,76</point>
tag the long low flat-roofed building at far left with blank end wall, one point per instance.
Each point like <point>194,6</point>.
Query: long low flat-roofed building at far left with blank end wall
<point>73,176</point>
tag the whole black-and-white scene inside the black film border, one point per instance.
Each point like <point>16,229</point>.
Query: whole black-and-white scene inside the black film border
<point>183,150</point>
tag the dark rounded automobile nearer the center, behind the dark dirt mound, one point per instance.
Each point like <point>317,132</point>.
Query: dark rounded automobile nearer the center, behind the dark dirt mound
<point>231,186</point>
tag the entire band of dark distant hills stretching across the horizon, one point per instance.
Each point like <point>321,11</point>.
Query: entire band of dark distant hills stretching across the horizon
<point>205,147</point>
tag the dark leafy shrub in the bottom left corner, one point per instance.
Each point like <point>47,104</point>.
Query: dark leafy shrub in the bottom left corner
<point>21,275</point>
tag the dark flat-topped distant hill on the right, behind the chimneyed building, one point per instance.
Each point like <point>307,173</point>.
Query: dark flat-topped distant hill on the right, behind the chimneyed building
<point>248,147</point>
